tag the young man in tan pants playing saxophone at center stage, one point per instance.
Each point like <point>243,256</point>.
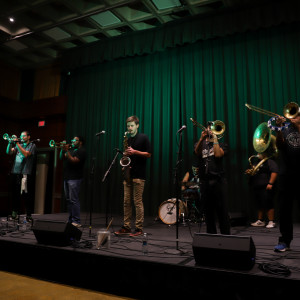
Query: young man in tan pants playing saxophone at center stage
<point>139,149</point>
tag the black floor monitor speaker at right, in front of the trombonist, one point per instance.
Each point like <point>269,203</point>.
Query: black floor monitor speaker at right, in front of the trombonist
<point>224,251</point>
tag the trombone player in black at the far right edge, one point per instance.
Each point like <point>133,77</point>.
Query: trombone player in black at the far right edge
<point>288,142</point>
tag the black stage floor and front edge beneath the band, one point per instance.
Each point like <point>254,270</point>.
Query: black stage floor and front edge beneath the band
<point>167,271</point>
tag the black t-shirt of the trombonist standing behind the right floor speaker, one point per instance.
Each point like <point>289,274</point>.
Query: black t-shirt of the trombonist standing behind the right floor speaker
<point>209,165</point>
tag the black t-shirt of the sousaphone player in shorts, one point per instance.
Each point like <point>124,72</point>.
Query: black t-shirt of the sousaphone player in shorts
<point>262,177</point>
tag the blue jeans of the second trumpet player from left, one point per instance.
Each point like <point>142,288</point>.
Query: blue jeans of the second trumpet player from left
<point>72,189</point>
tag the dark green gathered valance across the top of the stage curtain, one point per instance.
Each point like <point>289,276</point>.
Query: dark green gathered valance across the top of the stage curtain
<point>185,31</point>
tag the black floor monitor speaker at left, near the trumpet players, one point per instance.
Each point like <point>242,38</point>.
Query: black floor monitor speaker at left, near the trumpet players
<point>55,233</point>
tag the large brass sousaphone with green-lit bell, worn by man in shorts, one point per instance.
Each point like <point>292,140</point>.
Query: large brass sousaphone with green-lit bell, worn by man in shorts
<point>263,142</point>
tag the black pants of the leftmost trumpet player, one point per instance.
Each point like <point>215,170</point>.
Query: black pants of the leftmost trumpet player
<point>17,196</point>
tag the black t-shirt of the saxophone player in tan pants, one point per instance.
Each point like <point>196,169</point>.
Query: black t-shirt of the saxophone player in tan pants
<point>138,163</point>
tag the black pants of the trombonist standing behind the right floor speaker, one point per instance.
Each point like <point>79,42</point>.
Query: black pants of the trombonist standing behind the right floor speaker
<point>214,201</point>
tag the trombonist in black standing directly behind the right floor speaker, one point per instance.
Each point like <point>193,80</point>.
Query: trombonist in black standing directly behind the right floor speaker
<point>212,181</point>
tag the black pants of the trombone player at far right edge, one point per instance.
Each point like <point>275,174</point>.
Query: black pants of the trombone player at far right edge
<point>287,194</point>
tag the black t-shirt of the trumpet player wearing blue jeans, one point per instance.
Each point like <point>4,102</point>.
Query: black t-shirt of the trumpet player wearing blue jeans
<point>74,171</point>
